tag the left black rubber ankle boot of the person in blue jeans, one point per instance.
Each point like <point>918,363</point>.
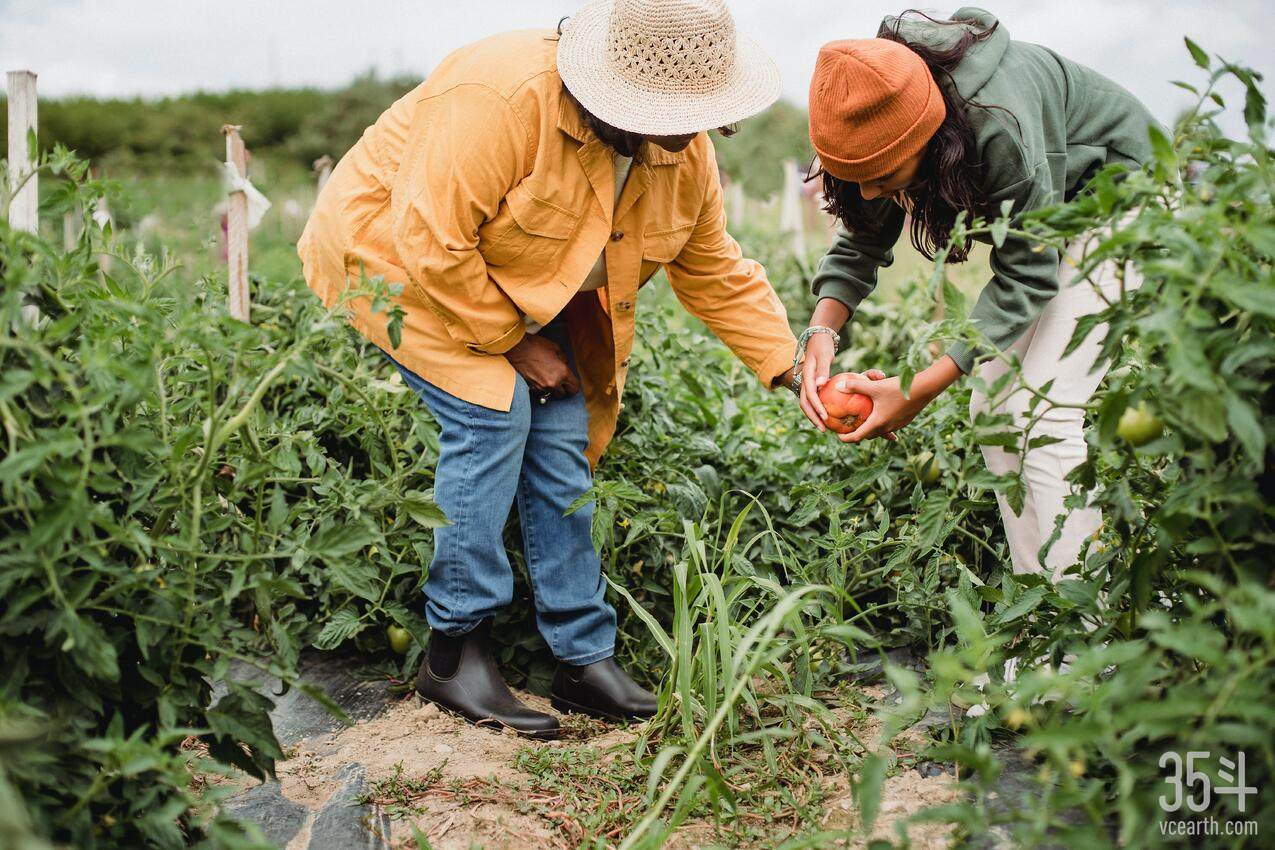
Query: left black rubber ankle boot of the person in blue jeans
<point>460,675</point>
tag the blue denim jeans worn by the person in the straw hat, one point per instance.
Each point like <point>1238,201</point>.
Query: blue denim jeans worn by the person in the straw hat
<point>486,461</point>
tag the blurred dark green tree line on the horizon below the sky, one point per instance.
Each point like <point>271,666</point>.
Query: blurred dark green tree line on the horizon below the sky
<point>303,124</point>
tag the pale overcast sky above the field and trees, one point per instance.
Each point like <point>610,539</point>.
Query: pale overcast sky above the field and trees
<point>123,48</point>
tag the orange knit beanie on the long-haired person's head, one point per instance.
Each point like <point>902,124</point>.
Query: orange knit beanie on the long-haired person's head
<point>873,105</point>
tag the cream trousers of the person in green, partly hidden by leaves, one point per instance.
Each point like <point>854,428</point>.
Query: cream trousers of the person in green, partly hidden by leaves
<point>1075,379</point>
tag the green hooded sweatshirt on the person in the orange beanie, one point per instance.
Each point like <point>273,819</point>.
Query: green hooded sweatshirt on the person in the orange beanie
<point>1051,127</point>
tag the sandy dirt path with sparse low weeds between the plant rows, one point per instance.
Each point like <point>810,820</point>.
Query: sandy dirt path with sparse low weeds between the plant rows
<point>463,787</point>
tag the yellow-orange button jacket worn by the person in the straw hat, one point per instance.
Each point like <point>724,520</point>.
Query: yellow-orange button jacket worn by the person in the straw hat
<point>485,194</point>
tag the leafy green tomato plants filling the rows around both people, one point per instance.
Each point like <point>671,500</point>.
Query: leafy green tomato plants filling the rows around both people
<point>183,493</point>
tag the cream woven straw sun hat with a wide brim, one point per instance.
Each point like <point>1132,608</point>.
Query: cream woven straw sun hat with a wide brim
<point>665,67</point>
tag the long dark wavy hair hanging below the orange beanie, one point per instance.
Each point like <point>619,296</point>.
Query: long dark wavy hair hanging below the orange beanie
<point>949,178</point>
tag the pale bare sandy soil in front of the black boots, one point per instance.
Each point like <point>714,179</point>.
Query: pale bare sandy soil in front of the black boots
<point>471,793</point>
